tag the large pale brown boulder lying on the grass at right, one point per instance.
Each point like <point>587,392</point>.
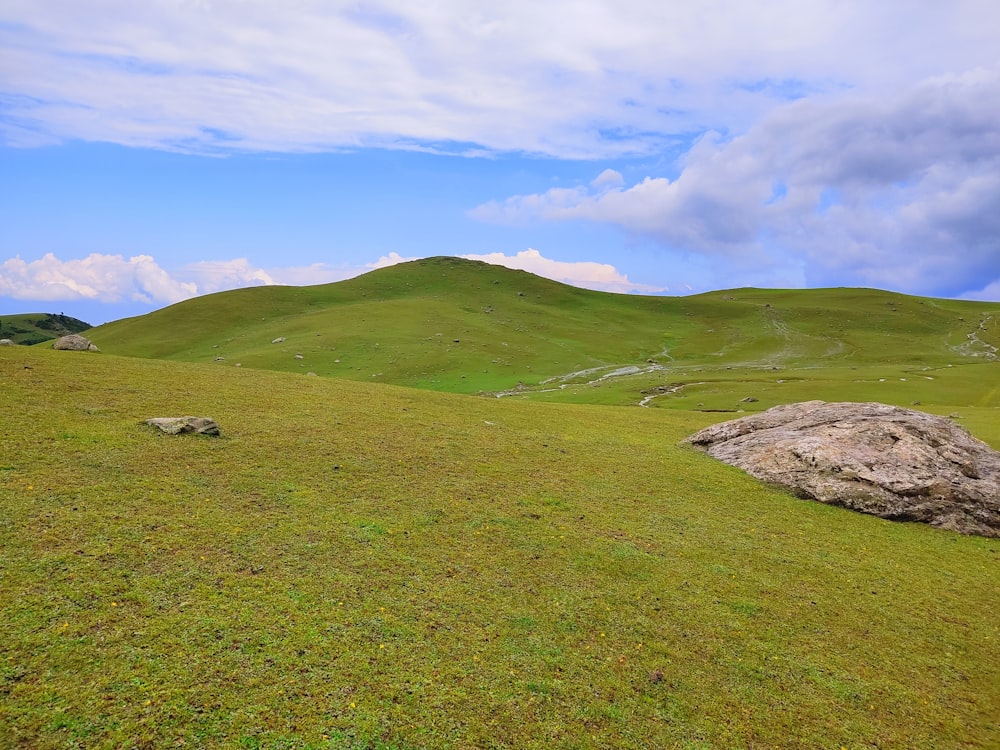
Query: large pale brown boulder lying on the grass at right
<point>890,462</point>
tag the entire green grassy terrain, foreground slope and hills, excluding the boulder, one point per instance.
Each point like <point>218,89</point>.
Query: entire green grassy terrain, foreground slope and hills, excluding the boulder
<point>359,565</point>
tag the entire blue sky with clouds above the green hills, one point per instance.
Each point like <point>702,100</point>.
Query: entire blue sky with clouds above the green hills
<point>158,150</point>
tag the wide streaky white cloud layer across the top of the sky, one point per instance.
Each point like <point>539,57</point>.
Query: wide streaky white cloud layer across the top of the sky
<point>616,78</point>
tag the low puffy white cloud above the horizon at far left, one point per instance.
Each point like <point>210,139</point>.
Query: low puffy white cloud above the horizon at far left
<point>102,278</point>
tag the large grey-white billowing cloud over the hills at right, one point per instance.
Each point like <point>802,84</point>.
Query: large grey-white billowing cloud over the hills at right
<point>898,192</point>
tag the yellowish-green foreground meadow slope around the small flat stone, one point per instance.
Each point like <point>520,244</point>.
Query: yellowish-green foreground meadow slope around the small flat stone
<point>356,565</point>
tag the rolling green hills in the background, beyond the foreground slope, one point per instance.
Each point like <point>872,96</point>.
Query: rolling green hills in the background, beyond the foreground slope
<point>455,325</point>
